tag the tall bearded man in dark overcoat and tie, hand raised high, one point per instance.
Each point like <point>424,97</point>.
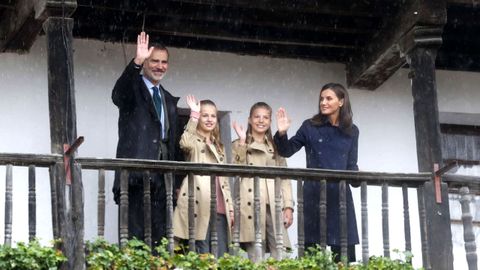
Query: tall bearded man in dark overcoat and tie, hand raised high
<point>146,130</point>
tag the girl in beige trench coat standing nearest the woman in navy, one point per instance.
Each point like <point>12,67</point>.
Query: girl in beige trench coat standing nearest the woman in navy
<point>255,147</point>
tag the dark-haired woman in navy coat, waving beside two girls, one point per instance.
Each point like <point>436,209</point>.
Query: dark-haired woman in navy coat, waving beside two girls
<point>331,142</point>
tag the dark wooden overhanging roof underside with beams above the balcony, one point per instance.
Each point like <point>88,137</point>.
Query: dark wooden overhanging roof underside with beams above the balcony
<point>363,34</point>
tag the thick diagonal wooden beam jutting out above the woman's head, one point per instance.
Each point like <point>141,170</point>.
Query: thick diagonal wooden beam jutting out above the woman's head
<point>386,53</point>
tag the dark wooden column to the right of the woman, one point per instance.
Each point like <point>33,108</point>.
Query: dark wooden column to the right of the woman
<point>436,228</point>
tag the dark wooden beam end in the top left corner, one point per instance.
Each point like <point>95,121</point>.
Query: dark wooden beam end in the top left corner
<point>20,26</point>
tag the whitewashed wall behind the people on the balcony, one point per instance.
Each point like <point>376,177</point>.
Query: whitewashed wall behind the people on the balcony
<point>234,82</point>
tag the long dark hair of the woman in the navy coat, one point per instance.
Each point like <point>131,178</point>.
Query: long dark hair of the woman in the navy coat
<point>345,116</point>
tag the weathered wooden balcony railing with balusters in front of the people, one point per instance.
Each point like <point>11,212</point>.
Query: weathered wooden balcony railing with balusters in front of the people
<point>68,218</point>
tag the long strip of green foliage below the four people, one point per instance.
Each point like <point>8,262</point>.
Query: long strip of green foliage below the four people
<point>136,255</point>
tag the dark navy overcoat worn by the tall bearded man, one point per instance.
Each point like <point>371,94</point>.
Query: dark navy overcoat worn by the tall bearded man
<point>139,136</point>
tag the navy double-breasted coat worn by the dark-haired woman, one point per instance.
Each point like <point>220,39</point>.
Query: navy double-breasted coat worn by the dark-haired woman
<point>326,147</point>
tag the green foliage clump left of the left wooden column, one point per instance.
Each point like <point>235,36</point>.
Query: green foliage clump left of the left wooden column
<point>30,256</point>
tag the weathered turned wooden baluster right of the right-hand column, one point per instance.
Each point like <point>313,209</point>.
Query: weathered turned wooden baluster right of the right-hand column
<point>468,234</point>
